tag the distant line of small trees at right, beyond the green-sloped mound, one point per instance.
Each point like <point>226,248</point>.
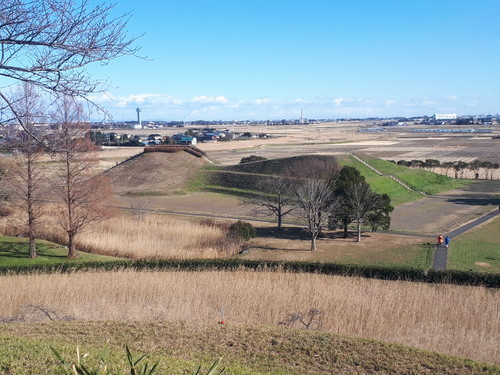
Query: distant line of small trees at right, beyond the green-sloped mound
<point>459,167</point>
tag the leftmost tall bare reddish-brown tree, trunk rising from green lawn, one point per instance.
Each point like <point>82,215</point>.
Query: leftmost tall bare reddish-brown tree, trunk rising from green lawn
<point>27,176</point>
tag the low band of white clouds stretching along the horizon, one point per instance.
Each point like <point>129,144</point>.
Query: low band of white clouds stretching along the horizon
<point>166,107</point>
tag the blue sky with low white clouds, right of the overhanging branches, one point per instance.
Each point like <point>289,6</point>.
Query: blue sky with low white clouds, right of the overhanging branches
<point>234,60</point>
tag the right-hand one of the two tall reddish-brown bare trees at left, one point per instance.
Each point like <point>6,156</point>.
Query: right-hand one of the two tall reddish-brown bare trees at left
<point>85,198</point>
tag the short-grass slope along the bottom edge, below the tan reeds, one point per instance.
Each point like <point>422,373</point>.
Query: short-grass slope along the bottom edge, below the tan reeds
<point>180,347</point>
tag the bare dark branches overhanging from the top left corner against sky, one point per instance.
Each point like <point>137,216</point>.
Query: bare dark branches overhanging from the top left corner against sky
<point>48,43</point>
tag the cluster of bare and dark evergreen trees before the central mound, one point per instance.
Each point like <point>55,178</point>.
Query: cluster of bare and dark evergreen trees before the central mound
<point>333,199</point>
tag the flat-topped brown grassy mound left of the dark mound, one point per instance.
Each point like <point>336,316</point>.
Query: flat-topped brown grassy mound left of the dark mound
<point>154,173</point>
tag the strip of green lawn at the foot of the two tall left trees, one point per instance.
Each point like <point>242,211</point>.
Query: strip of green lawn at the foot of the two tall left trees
<point>14,252</point>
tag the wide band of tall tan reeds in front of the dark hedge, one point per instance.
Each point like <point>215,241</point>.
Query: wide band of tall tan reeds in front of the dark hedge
<point>457,320</point>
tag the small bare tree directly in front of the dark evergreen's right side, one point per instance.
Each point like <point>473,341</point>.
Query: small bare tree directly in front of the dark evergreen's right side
<point>361,201</point>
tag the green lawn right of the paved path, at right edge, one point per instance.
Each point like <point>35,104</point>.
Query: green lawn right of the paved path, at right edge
<point>477,250</point>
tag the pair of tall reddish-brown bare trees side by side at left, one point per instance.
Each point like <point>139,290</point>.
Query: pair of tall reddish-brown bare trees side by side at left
<point>53,172</point>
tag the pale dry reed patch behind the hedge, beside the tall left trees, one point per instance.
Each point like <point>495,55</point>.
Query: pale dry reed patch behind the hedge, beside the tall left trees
<point>145,236</point>
